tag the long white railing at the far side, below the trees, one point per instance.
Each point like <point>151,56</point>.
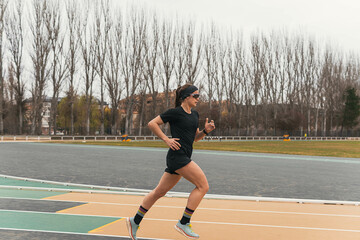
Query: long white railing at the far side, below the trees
<point>155,138</point>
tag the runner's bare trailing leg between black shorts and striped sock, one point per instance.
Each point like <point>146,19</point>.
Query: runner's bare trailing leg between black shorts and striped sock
<point>166,183</point>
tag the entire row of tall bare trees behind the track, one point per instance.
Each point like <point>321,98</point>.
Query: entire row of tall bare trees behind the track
<point>267,83</point>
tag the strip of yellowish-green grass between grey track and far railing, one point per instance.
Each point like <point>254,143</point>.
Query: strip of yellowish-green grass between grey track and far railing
<point>350,149</point>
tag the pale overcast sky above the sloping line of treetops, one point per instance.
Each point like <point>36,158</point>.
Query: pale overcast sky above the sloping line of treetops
<point>330,21</point>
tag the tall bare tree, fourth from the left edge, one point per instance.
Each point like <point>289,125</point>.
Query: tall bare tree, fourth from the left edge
<point>58,67</point>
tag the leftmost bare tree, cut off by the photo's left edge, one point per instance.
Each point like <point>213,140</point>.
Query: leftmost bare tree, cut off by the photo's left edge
<point>3,6</point>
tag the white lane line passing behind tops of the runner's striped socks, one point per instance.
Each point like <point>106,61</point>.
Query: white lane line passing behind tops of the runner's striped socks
<point>199,208</point>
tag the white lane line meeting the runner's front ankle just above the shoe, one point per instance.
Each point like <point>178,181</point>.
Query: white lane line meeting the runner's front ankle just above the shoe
<point>203,222</point>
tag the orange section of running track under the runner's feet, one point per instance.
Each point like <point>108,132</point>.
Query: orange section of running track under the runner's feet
<point>224,219</point>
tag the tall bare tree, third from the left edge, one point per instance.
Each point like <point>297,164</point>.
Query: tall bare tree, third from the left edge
<point>40,53</point>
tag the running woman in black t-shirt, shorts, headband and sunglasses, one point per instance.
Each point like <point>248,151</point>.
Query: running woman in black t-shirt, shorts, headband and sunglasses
<point>184,131</point>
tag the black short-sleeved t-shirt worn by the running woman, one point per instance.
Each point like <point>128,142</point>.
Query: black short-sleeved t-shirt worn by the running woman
<point>183,126</point>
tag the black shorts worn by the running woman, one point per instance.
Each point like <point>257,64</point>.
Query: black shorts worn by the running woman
<point>176,160</point>
